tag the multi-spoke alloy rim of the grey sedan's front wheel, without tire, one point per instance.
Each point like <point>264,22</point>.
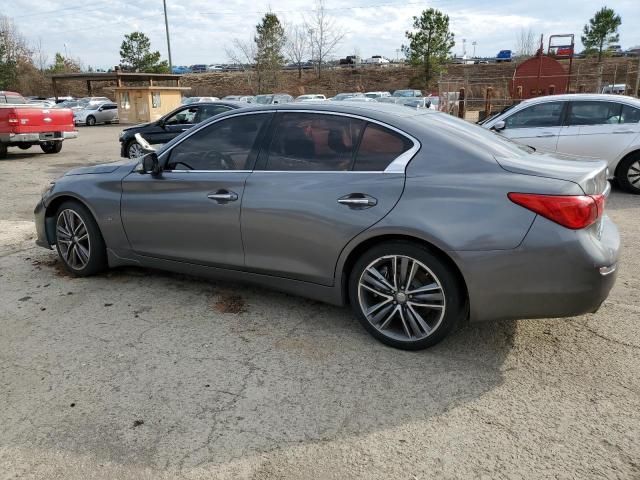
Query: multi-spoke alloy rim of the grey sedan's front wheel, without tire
<point>73,239</point>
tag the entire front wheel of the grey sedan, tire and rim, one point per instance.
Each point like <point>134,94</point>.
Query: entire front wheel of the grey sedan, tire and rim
<point>79,242</point>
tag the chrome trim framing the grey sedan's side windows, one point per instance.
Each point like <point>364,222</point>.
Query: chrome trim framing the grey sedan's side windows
<point>397,165</point>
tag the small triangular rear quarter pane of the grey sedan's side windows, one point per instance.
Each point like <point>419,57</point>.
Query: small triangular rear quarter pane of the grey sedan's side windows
<point>379,147</point>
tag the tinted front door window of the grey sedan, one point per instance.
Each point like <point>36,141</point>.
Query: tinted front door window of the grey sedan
<point>224,145</point>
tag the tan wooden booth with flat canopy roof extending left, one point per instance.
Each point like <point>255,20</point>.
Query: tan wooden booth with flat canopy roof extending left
<point>141,97</point>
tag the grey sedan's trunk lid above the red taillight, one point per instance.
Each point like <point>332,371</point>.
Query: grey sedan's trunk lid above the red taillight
<point>591,175</point>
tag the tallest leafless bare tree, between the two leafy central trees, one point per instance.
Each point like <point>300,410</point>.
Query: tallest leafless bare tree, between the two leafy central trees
<point>324,34</point>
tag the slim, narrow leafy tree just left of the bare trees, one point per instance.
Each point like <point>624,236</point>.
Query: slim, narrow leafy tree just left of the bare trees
<point>270,40</point>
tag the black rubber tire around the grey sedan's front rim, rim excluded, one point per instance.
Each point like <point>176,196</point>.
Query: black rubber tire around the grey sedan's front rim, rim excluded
<point>97,261</point>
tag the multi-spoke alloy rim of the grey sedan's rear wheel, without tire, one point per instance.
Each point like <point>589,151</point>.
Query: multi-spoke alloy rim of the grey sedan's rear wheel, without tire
<point>401,297</point>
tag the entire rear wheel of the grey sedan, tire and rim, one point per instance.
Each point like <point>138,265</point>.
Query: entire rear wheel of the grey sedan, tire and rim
<point>405,296</point>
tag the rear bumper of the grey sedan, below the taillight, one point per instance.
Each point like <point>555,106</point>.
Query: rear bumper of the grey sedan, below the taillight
<point>556,272</point>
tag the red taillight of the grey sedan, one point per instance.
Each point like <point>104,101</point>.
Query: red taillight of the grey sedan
<point>571,211</point>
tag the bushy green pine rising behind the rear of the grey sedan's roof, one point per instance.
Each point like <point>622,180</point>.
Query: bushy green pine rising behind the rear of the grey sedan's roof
<point>430,43</point>
